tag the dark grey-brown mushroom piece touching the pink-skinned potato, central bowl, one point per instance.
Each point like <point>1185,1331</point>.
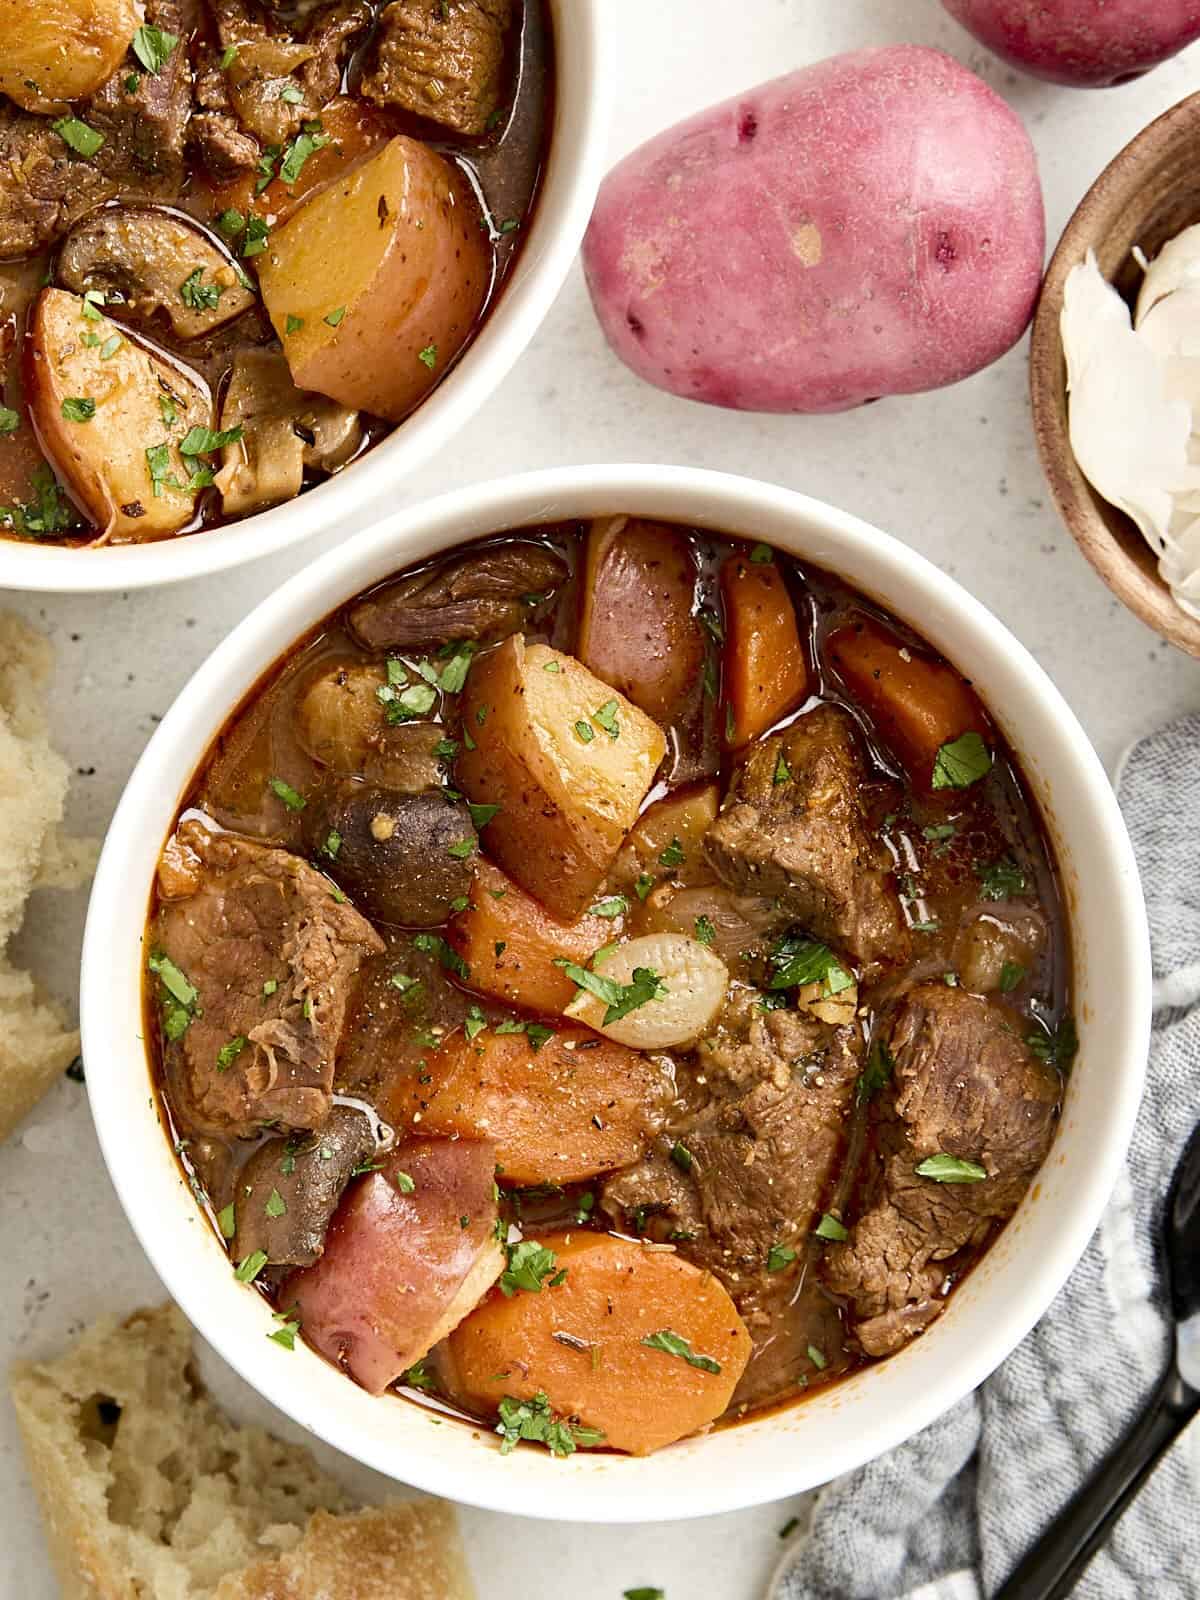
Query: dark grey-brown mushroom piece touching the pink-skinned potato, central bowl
<point>290,1188</point>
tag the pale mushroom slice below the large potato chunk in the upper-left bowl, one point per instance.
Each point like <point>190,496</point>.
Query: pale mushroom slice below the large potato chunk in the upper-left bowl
<point>284,431</point>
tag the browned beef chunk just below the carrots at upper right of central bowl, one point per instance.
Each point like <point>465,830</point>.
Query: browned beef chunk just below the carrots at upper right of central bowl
<point>806,841</point>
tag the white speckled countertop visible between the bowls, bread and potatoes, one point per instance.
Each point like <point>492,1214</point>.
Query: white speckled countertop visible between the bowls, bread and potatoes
<point>954,474</point>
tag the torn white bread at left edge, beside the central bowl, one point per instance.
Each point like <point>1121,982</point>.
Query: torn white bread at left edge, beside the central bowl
<point>36,1042</point>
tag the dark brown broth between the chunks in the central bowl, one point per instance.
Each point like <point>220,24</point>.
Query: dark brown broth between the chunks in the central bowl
<point>388,1033</point>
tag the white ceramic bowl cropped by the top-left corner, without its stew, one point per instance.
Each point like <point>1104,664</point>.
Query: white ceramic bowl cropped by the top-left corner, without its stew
<point>575,166</point>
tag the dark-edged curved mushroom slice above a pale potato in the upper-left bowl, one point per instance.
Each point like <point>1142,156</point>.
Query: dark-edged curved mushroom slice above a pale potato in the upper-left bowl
<point>150,262</point>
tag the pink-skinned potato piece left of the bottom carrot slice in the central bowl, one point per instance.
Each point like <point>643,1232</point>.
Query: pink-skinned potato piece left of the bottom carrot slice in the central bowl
<point>401,1266</point>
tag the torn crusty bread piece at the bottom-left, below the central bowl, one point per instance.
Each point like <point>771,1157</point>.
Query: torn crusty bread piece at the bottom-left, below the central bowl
<point>146,1489</point>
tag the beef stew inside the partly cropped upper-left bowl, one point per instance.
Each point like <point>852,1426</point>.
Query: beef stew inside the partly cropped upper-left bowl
<point>242,242</point>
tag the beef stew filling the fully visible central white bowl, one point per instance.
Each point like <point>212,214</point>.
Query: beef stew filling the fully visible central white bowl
<point>727,946</point>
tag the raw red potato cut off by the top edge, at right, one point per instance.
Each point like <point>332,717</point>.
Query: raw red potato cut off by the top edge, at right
<point>1082,42</point>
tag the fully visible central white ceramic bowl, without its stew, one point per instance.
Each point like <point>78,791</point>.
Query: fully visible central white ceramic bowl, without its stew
<point>786,1450</point>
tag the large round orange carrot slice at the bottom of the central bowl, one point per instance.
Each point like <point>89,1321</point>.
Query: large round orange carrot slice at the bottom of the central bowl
<point>585,1345</point>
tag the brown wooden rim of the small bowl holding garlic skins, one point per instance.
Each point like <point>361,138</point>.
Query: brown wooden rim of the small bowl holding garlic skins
<point>1135,583</point>
